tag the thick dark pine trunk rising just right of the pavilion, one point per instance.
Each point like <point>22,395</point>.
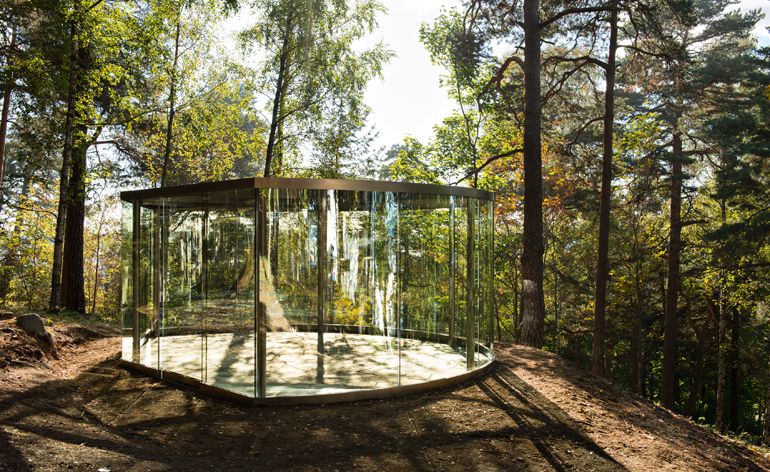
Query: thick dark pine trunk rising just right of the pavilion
<point>532,298</point>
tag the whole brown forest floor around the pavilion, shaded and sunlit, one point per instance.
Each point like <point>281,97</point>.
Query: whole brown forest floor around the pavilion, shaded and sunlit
<point>535,411</point>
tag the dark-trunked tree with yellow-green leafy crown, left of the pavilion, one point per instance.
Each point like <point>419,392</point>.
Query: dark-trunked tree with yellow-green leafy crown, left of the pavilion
<point>96,65</point>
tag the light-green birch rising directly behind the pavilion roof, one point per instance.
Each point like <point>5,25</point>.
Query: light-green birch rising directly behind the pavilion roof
<point>311,68</point>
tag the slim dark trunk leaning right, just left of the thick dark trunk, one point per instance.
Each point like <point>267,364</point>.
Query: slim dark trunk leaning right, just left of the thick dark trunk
<point>61,214</point>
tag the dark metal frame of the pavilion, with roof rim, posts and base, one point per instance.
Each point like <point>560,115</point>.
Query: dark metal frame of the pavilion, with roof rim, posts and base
<point>464,335</point>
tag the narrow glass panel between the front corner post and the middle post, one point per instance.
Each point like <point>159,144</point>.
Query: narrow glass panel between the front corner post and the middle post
<point>288,289</point>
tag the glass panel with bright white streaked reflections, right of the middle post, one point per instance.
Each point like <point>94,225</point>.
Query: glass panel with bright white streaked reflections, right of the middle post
<point>361,290</point>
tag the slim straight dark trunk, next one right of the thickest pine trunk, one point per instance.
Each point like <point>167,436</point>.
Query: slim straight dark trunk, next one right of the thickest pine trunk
<point>602,262</point>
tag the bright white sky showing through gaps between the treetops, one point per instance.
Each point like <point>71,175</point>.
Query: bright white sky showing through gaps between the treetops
<point>408,100</point>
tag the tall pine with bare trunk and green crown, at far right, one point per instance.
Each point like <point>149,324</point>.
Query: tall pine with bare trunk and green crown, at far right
<point>680,46</point>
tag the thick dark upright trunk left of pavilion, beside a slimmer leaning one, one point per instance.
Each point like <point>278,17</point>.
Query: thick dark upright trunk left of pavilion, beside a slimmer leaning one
<point>73,295</point>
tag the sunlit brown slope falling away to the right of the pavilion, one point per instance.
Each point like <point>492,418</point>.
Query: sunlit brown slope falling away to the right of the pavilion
<point>635,432</point>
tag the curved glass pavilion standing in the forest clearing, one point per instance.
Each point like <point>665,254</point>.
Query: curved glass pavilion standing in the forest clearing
<point>302,290</point>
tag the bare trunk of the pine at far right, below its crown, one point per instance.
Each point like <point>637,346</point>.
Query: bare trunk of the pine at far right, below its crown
<point>670,321</point>
